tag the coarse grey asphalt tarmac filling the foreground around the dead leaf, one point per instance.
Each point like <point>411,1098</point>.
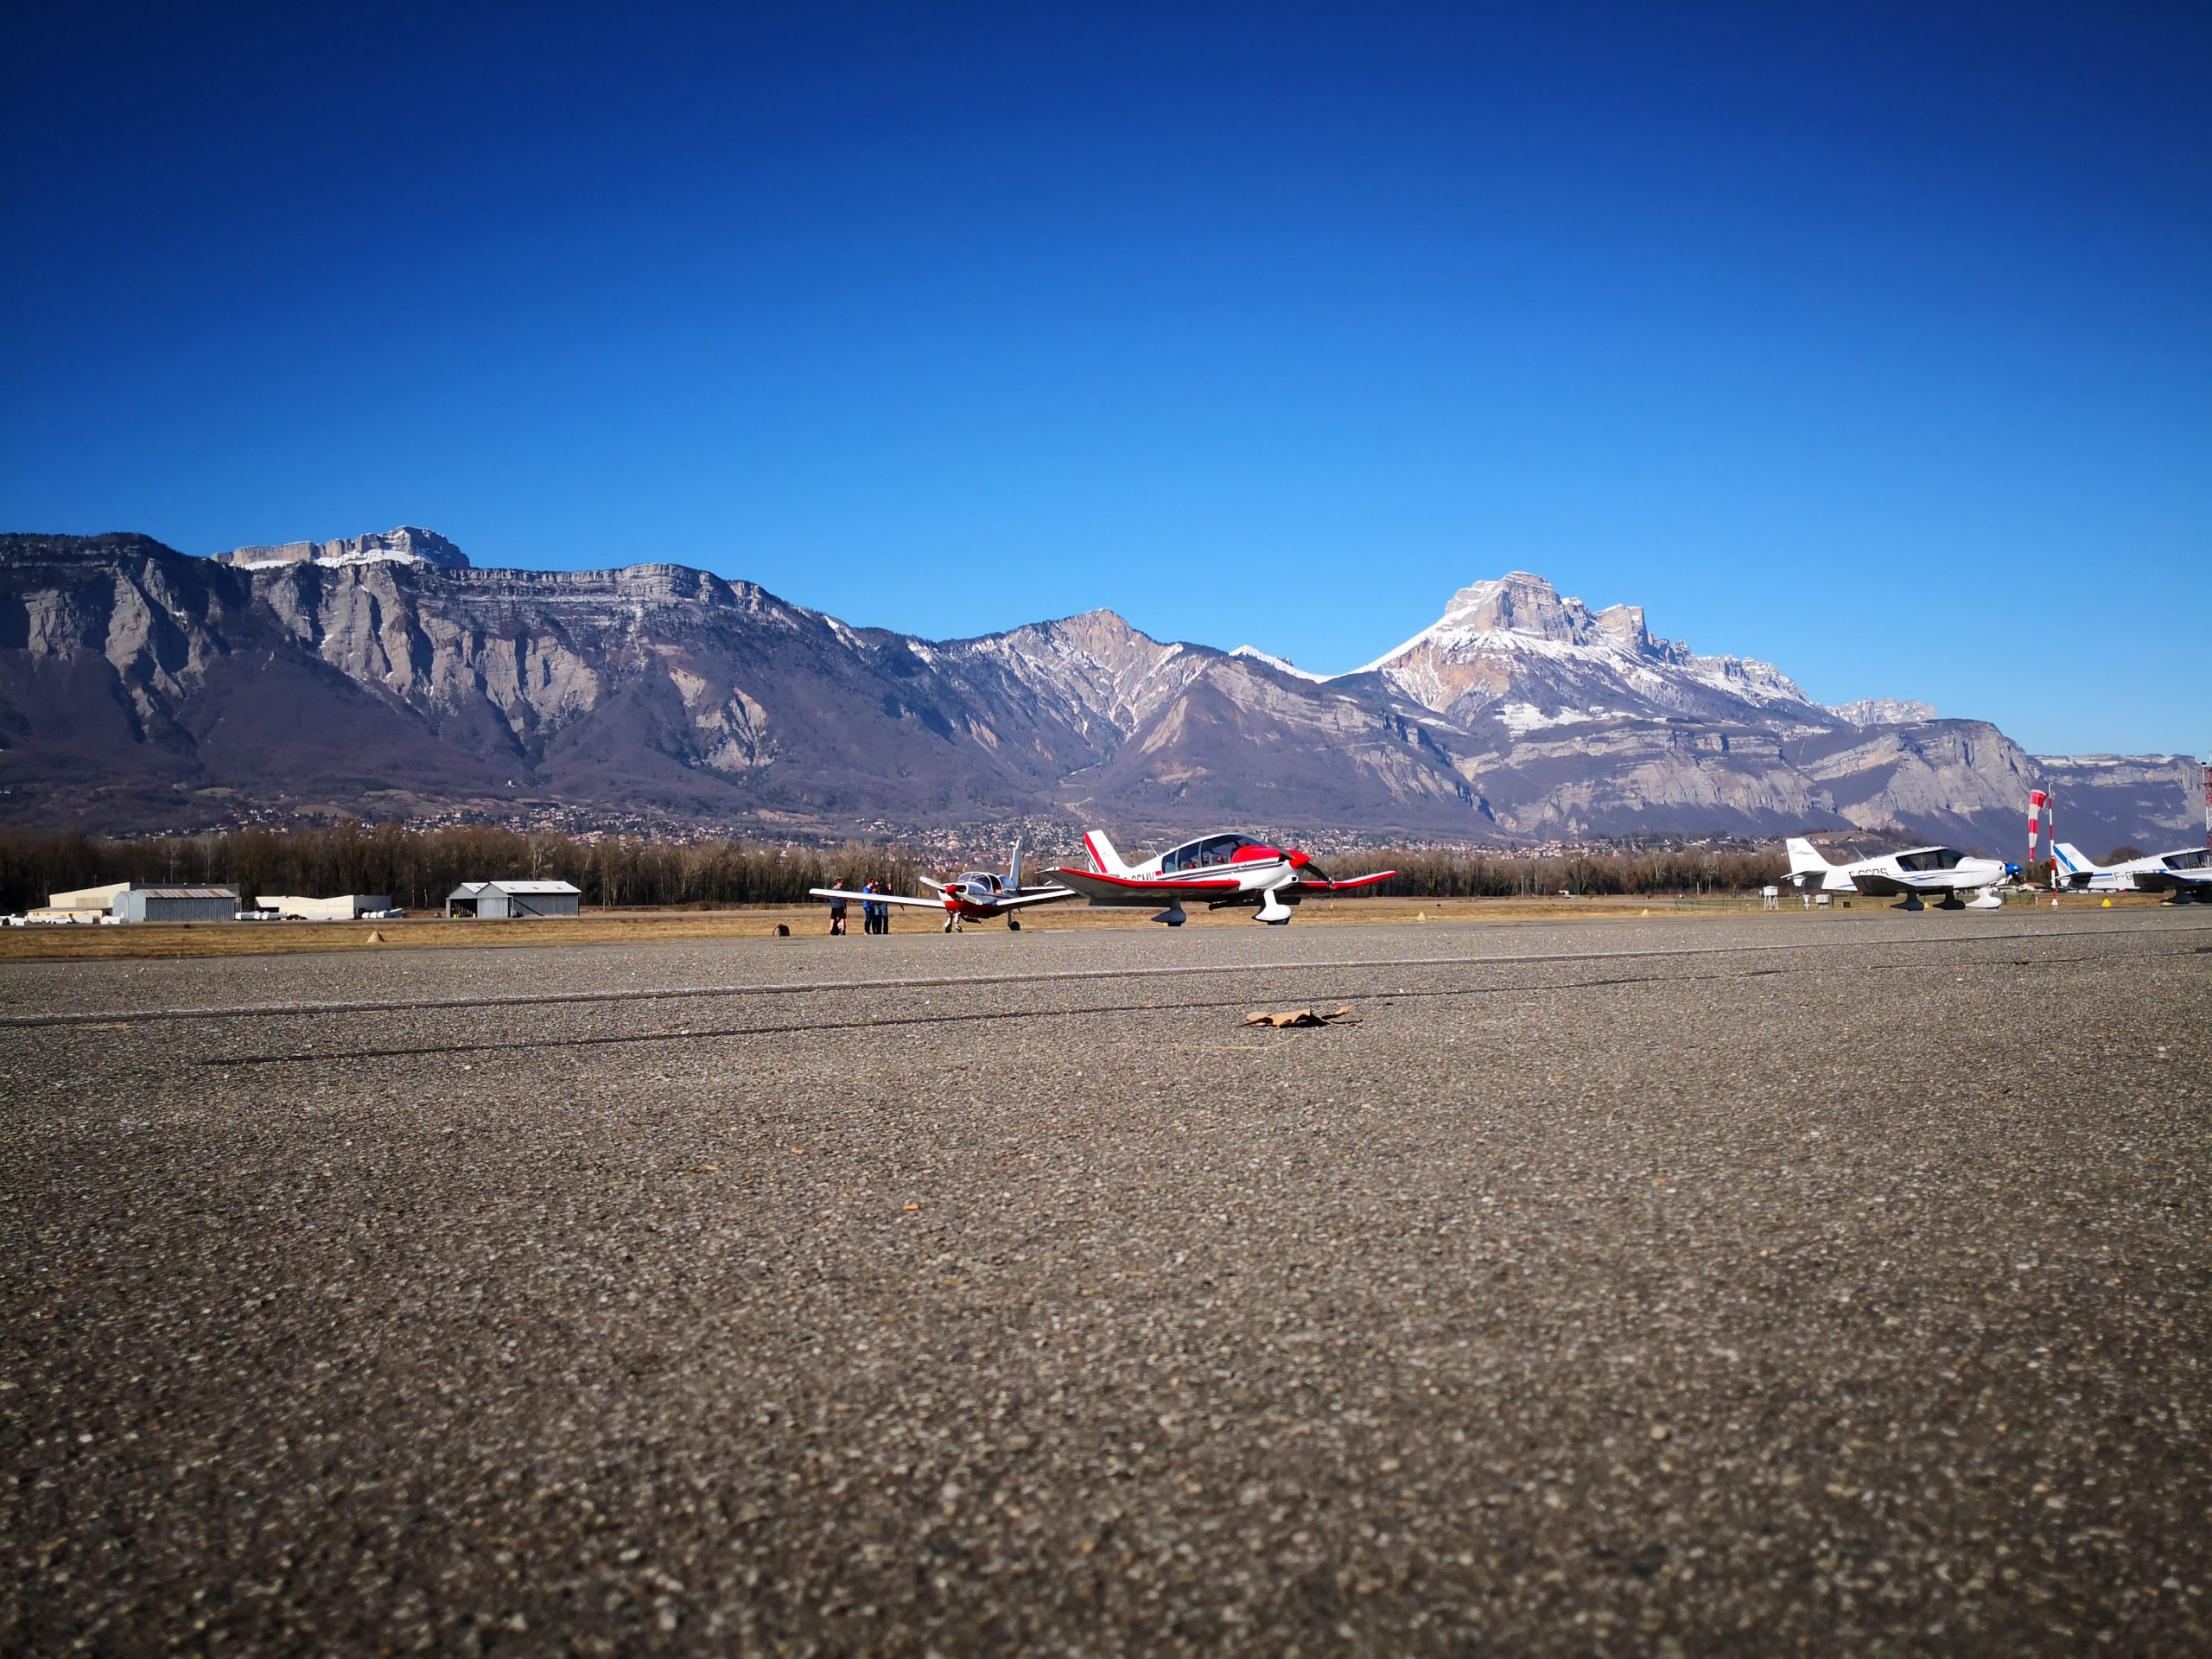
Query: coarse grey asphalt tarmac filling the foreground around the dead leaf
<point>1689,1286</point>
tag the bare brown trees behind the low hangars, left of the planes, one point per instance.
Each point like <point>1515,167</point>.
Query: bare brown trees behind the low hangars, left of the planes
<point>419,868</point>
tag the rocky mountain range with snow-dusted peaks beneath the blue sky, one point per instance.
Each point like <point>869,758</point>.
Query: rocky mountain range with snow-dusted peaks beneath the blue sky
<point>384,676</point>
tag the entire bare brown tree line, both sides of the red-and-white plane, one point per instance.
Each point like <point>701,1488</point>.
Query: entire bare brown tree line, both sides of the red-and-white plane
<point>419,868</point>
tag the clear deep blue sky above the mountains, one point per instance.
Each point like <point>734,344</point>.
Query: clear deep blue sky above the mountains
<point>1826,333</point>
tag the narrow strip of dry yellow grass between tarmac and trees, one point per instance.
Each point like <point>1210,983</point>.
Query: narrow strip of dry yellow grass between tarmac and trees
<point>762,921</point>
